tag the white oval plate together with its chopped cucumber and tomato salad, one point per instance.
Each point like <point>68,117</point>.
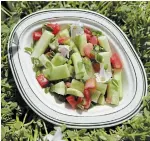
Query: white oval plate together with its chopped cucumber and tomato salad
<point>77,68</point>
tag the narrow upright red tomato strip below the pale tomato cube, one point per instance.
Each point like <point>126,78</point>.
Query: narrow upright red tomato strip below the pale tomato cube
<point>87,98</point>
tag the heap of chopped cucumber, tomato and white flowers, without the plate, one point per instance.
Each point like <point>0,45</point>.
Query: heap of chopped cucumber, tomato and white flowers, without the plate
<point>76,64</point>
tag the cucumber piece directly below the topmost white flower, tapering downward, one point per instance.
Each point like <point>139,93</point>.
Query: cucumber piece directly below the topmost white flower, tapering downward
<point>80,42</point>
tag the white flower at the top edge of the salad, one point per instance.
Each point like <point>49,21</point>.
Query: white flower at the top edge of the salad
<point>76,29</point>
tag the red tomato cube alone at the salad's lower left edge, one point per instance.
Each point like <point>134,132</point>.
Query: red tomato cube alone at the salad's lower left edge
<point>42,80</point>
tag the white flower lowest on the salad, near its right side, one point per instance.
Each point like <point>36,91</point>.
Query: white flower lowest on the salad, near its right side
<point>103,76</point>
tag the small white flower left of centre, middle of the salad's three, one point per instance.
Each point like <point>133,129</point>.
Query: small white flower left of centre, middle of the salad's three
<point>64,50</point>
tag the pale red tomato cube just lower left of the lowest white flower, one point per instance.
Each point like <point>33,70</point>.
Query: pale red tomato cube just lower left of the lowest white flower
<point>90,83</point>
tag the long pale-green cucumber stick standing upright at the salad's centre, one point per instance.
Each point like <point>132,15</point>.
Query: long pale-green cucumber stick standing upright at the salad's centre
<point>79,66</point>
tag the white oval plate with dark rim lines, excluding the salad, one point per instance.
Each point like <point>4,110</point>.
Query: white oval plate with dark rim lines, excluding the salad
<point>45,105</point>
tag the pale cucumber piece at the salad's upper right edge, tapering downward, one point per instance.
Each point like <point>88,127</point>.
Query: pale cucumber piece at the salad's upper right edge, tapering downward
<point>103,41</point>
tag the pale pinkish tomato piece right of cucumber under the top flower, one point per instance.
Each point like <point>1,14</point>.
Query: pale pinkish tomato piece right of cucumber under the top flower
<point>88,51</point>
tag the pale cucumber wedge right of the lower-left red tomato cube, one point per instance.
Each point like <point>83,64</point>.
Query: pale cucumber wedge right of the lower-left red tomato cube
<point>59,88</point>
